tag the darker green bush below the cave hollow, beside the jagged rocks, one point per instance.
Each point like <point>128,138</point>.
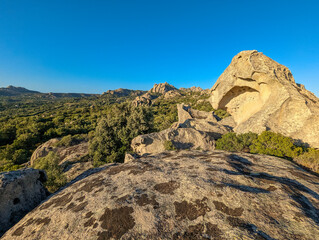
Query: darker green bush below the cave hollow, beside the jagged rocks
<point>236,142</point>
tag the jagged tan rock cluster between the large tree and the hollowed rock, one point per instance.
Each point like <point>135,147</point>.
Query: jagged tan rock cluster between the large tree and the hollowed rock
<point>194,130</point>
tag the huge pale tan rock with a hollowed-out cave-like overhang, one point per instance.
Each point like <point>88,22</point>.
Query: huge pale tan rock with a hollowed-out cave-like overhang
<point>261,94</point>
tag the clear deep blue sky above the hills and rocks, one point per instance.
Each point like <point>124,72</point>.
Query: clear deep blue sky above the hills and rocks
<point>95,45</point>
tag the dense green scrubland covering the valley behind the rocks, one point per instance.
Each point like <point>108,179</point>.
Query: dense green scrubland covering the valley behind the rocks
<point>28,121</point>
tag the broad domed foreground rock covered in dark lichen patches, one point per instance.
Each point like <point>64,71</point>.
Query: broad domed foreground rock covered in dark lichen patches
<point>183,195</point>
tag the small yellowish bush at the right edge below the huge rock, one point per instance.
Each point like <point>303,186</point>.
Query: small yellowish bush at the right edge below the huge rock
<point>309,159</point>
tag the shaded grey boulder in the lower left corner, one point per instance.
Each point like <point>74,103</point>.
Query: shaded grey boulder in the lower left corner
<point>20,192</point>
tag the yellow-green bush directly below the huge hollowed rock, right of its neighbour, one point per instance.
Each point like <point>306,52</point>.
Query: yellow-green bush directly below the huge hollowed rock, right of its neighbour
<point>275,144</point>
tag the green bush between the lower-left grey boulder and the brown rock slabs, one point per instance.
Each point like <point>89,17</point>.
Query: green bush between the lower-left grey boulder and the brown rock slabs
<point>50,164</point>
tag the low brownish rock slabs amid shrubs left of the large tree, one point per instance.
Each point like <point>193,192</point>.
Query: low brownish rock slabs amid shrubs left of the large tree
<point>70,157</point>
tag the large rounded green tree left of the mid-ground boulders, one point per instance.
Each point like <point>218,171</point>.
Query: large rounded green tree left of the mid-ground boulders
<point>115,131</point>
